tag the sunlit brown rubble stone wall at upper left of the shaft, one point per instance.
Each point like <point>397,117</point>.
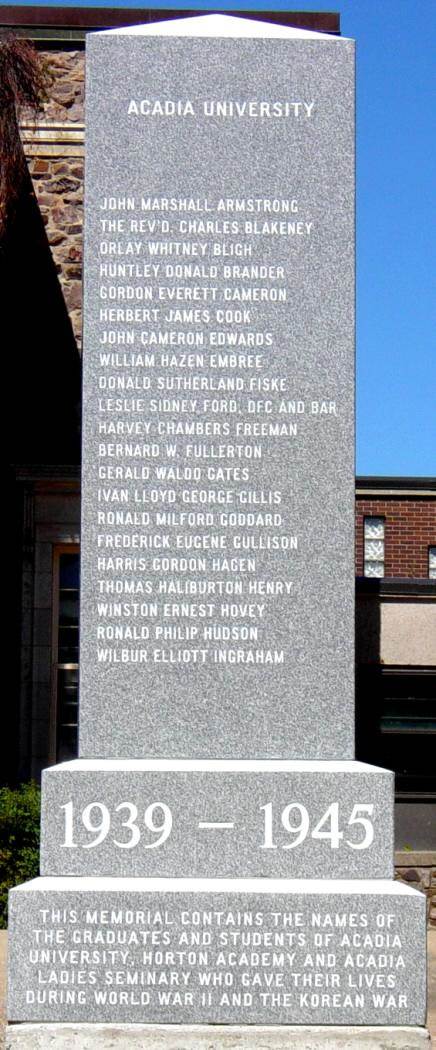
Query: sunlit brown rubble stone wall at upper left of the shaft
<point>54,150</point>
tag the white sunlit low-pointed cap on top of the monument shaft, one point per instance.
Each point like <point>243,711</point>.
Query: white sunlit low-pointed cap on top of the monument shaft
<point>218,26</point>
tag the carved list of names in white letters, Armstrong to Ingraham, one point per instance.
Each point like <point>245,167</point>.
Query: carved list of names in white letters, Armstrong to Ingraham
<point>191,402</point>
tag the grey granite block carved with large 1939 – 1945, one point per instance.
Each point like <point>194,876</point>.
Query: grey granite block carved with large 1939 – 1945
<point>212,820</point>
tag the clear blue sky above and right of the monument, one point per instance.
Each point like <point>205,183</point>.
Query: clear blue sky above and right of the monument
<point>397,225</point>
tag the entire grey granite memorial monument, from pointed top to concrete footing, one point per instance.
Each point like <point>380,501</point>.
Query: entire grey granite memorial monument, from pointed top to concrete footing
<point>217,868</point>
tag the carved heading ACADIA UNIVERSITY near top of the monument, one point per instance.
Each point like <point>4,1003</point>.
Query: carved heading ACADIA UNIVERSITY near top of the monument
<point>223,109</point>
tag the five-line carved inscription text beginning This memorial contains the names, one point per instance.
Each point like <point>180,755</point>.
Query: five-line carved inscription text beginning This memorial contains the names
<point>225,959</point>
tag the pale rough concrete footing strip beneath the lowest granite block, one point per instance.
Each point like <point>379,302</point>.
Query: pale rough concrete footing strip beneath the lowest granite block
<point>39,1037</point>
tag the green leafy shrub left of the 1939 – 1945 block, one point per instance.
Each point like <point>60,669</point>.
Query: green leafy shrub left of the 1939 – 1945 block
<point>19,839</point>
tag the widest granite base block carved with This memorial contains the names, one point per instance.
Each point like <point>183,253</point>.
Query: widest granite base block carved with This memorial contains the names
<point>217,952</point>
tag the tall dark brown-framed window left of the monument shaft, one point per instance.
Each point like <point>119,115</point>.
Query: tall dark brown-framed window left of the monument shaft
<point>67,652</point>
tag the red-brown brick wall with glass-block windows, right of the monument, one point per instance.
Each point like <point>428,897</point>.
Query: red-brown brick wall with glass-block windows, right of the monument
<point>410,530</point>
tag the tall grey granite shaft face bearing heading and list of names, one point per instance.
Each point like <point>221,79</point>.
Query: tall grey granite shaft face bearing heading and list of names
<point>219,473</point>
